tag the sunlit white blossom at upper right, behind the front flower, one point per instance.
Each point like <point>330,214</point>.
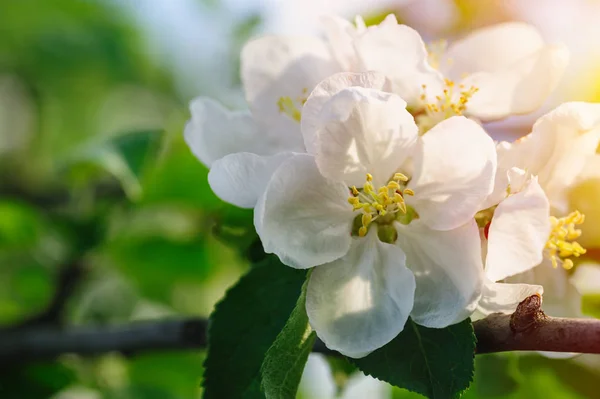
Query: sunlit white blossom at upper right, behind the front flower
<point>501,70</point>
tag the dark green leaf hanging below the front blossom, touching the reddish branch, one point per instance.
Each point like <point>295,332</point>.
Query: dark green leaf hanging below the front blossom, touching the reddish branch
<point>437,363</point>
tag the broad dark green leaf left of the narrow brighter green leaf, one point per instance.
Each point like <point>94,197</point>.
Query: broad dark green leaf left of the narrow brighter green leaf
<point>245,324</point>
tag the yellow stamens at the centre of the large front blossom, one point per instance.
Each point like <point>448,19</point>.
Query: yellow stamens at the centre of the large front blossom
<point>379,205</point>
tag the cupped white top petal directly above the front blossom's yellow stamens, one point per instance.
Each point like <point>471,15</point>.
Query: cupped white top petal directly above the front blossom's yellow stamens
<point>363,130</point>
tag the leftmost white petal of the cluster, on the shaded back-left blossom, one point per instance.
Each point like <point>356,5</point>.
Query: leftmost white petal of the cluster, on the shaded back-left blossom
<point>214,132</point>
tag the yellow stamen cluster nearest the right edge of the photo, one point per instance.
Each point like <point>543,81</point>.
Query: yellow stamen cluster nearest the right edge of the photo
<point>561,245</point>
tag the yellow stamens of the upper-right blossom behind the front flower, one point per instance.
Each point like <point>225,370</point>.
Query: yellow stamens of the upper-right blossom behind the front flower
<point>453,102</point>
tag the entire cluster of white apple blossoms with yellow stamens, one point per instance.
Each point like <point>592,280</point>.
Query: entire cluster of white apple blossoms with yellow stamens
<point>365,157</point>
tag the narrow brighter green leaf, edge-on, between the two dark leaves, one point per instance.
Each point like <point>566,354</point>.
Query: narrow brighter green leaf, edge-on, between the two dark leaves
<point>285,360</point>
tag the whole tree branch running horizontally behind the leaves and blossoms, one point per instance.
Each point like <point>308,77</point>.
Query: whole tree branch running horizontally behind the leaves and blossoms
<point>527,329</point>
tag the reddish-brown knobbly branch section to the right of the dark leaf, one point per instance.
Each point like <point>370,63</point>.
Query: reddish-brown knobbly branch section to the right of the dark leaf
<point>529,329</point>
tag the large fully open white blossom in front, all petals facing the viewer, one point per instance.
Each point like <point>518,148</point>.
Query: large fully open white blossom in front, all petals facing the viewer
<point>401,241</point>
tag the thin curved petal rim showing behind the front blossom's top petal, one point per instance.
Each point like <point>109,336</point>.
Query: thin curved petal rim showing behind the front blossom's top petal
<point>323,93</point>
